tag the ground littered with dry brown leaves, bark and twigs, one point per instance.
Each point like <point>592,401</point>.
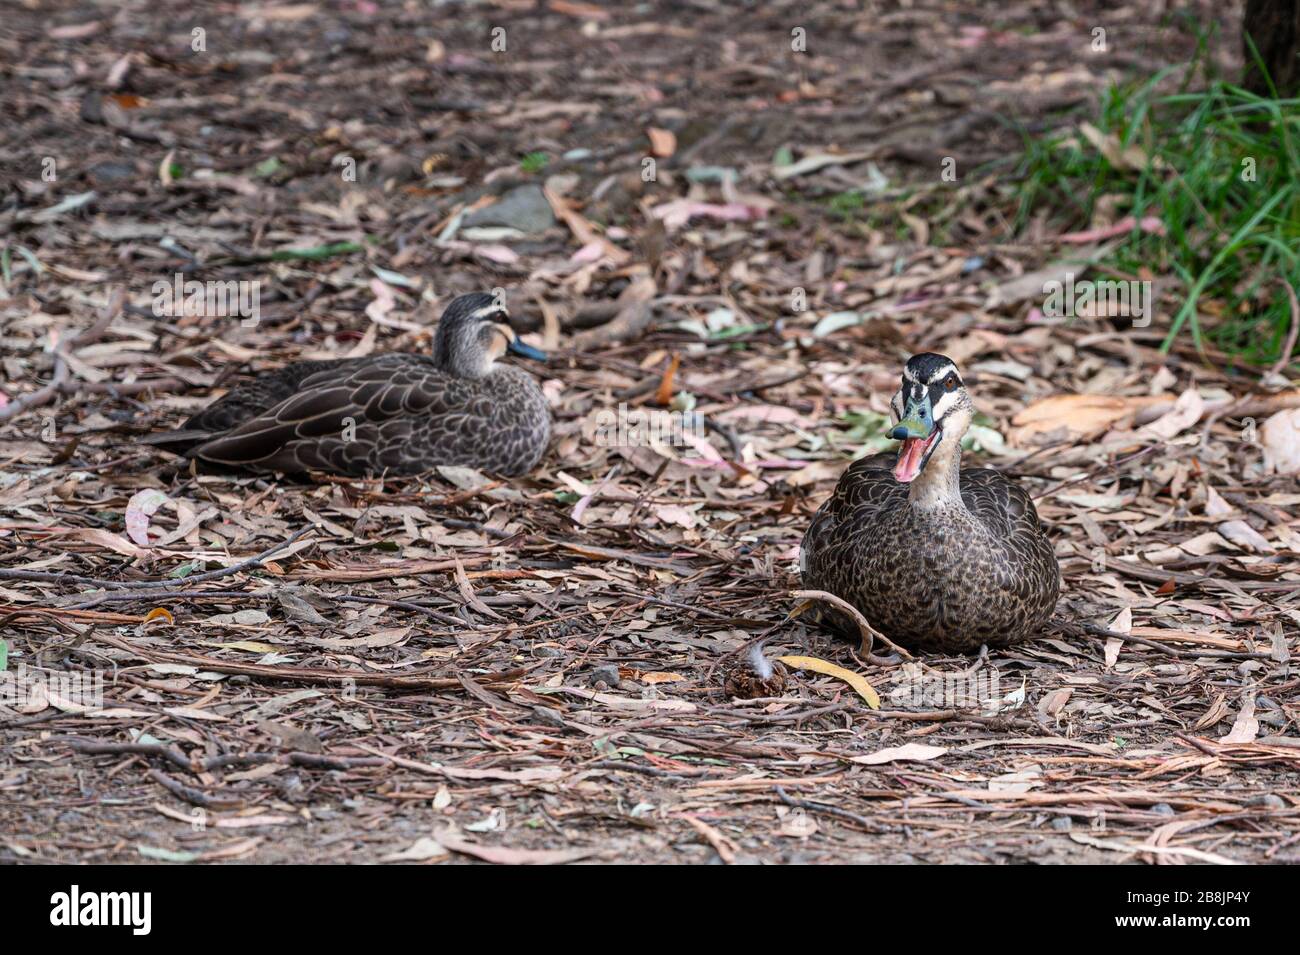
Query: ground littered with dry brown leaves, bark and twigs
<point>462,668</point>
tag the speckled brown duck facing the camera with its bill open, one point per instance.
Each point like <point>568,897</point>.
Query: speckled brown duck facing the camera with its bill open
<point>937,558</point>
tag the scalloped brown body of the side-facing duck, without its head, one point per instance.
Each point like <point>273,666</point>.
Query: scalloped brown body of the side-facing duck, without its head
<point>392,414</point>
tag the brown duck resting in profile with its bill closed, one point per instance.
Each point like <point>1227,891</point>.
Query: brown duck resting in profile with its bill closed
<point>385,414</point>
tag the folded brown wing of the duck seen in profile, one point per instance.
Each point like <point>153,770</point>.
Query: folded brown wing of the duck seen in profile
<point>335,413</point>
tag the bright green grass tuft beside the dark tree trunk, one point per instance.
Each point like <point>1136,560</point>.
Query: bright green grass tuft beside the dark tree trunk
<point>1188,159</point>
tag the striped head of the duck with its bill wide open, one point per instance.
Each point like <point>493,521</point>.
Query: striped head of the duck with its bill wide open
<point>933,413</point>
